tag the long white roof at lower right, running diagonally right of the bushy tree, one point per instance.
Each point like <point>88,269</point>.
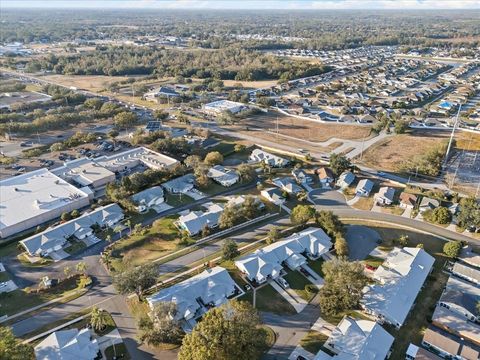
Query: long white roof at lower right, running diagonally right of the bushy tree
<point>400,279</point>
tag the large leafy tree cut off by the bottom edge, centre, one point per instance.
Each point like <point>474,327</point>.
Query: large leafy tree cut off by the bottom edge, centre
<point>228,332</point>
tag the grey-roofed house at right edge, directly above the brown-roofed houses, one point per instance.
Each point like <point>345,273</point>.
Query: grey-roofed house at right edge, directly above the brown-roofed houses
<point>462,298</point>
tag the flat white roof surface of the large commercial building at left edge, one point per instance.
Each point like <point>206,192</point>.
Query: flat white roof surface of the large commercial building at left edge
<point>32,194</point>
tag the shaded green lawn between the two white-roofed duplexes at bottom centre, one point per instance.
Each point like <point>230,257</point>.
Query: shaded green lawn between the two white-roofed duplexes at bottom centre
<point>269,300</point>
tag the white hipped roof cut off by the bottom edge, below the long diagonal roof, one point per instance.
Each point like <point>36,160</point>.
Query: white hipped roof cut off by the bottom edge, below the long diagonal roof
<point>360,340</point>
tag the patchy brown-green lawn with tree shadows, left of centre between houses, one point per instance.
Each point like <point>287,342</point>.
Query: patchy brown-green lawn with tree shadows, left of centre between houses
<point>138,249</point>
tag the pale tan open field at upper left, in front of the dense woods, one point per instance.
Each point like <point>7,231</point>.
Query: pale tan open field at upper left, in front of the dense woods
<point>87,82</point>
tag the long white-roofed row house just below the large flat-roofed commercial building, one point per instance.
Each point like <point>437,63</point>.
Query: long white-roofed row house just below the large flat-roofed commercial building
<point>54,239</point>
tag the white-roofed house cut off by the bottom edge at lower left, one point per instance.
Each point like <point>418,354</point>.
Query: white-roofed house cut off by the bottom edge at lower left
<point>68,344</point>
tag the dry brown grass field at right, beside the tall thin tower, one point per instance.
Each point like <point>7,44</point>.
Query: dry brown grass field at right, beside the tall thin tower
<point>388,153</point>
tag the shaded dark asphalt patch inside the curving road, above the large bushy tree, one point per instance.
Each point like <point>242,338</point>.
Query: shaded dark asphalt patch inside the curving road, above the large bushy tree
<point>361,241</point>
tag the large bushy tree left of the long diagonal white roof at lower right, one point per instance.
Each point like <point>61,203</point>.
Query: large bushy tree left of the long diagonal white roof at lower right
<point>343,286</point>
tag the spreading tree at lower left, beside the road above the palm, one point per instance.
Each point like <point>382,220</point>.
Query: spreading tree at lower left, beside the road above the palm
<point>137,279</point>
